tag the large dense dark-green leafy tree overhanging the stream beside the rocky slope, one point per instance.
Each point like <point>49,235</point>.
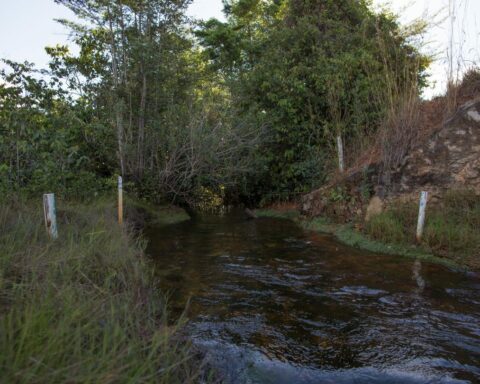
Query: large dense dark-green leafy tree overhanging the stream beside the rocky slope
<point>309,71</point>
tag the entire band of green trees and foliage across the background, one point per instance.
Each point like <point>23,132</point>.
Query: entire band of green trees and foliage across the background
<point>249,108</point>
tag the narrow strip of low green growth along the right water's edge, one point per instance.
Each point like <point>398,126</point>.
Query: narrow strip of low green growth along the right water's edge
<point>349,235</point>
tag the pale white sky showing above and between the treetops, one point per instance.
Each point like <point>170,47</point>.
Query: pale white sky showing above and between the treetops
<point>27,26</point>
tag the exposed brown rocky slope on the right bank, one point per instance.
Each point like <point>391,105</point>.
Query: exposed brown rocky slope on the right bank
<point>449,158</point>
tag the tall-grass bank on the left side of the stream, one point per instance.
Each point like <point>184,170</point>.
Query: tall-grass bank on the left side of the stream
<point>82,309</point>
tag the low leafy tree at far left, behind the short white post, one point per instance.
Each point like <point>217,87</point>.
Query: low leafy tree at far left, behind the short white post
<point>44,146</point>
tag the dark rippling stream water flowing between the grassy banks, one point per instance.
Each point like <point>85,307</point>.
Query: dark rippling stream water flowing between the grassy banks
<point>272,303</point>
